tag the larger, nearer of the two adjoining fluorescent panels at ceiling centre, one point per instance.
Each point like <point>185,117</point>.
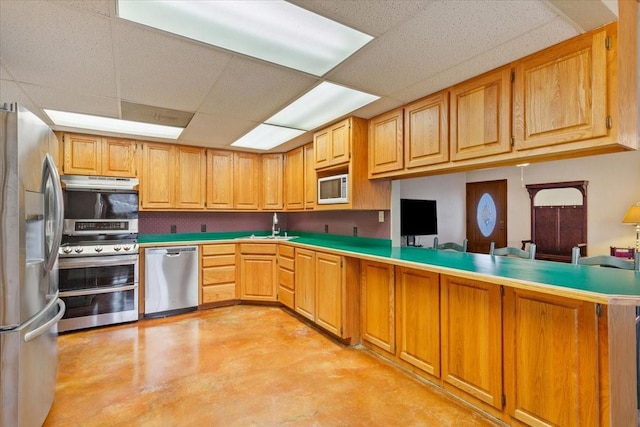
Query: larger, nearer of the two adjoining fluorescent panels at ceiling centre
<point>322,104</point>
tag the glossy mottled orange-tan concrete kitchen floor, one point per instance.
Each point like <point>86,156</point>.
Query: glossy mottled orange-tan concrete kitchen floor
<point>237,366</point>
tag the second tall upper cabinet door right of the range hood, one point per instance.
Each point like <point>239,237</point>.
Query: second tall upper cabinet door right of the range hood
<point>191,174</point>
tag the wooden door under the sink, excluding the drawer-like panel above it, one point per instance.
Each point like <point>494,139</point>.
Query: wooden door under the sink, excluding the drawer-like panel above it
<point>258,277</point>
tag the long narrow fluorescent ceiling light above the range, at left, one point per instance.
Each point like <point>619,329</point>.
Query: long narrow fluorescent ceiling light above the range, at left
<point>97,123</point>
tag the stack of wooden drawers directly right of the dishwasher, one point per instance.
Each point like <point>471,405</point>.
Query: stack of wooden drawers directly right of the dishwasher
<point>218,273</point>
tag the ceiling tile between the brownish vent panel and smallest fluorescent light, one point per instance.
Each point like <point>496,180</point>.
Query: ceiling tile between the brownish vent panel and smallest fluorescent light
<point>215,130</point>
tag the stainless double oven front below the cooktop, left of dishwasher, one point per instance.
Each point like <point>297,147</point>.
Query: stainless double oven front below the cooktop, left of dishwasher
<point>98,290</point>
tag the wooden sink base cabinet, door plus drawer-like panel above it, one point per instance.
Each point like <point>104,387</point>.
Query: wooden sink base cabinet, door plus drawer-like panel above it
<point>258,279</point>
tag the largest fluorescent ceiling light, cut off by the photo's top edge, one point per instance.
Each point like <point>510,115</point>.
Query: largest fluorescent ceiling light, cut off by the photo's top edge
<point>274,31</point>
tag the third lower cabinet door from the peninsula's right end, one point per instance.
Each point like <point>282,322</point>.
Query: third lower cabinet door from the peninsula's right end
<point>418,294</point>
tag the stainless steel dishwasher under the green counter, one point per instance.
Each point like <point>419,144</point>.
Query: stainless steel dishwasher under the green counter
<point>170,280</point>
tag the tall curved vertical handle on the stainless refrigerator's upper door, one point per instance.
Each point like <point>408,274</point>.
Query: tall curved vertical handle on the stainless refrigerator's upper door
<point>49,172</point>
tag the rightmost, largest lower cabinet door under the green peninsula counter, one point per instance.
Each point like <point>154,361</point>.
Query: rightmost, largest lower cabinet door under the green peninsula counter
<point>551,362</point>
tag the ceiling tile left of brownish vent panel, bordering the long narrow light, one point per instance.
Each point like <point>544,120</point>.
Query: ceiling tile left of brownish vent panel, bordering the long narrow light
<point>69,100</point>
